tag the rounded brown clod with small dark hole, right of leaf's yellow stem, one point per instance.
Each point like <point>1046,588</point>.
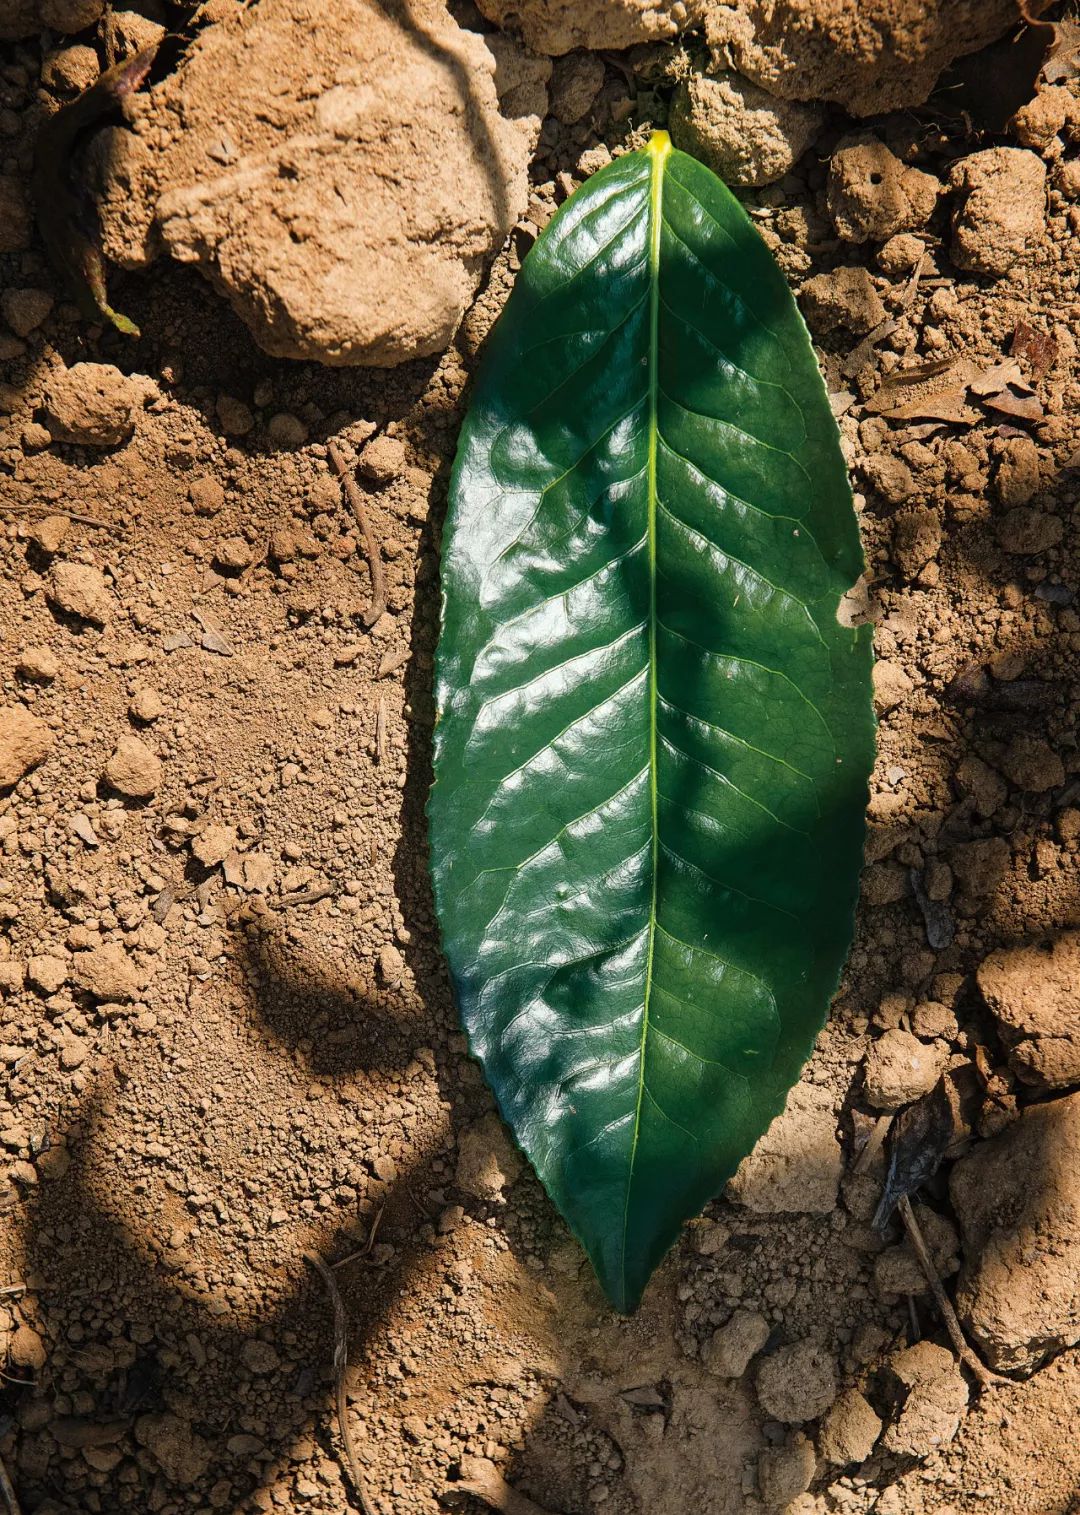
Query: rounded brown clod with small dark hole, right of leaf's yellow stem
<point>873,196</point>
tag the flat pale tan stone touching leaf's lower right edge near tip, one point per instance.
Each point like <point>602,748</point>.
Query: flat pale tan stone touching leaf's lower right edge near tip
<point>796,1167</point>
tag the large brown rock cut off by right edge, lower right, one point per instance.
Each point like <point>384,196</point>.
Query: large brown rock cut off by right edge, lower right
<point>1017,1198</point>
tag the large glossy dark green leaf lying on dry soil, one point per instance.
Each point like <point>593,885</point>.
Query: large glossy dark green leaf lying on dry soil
<point>654,736</point>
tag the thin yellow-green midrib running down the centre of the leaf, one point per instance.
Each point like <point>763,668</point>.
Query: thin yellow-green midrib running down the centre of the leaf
<point>660,149</point>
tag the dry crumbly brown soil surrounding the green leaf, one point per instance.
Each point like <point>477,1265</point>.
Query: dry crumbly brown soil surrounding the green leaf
<point>225,1025</point>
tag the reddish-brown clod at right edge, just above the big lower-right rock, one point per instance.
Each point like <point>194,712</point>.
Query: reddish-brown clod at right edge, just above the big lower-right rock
<point>1034,995</point>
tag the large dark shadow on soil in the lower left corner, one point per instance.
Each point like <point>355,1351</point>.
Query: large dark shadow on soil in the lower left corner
<point>163,1345</point>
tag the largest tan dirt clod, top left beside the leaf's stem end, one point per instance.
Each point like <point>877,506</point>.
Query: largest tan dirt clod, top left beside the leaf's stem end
<point>348,189</point>
